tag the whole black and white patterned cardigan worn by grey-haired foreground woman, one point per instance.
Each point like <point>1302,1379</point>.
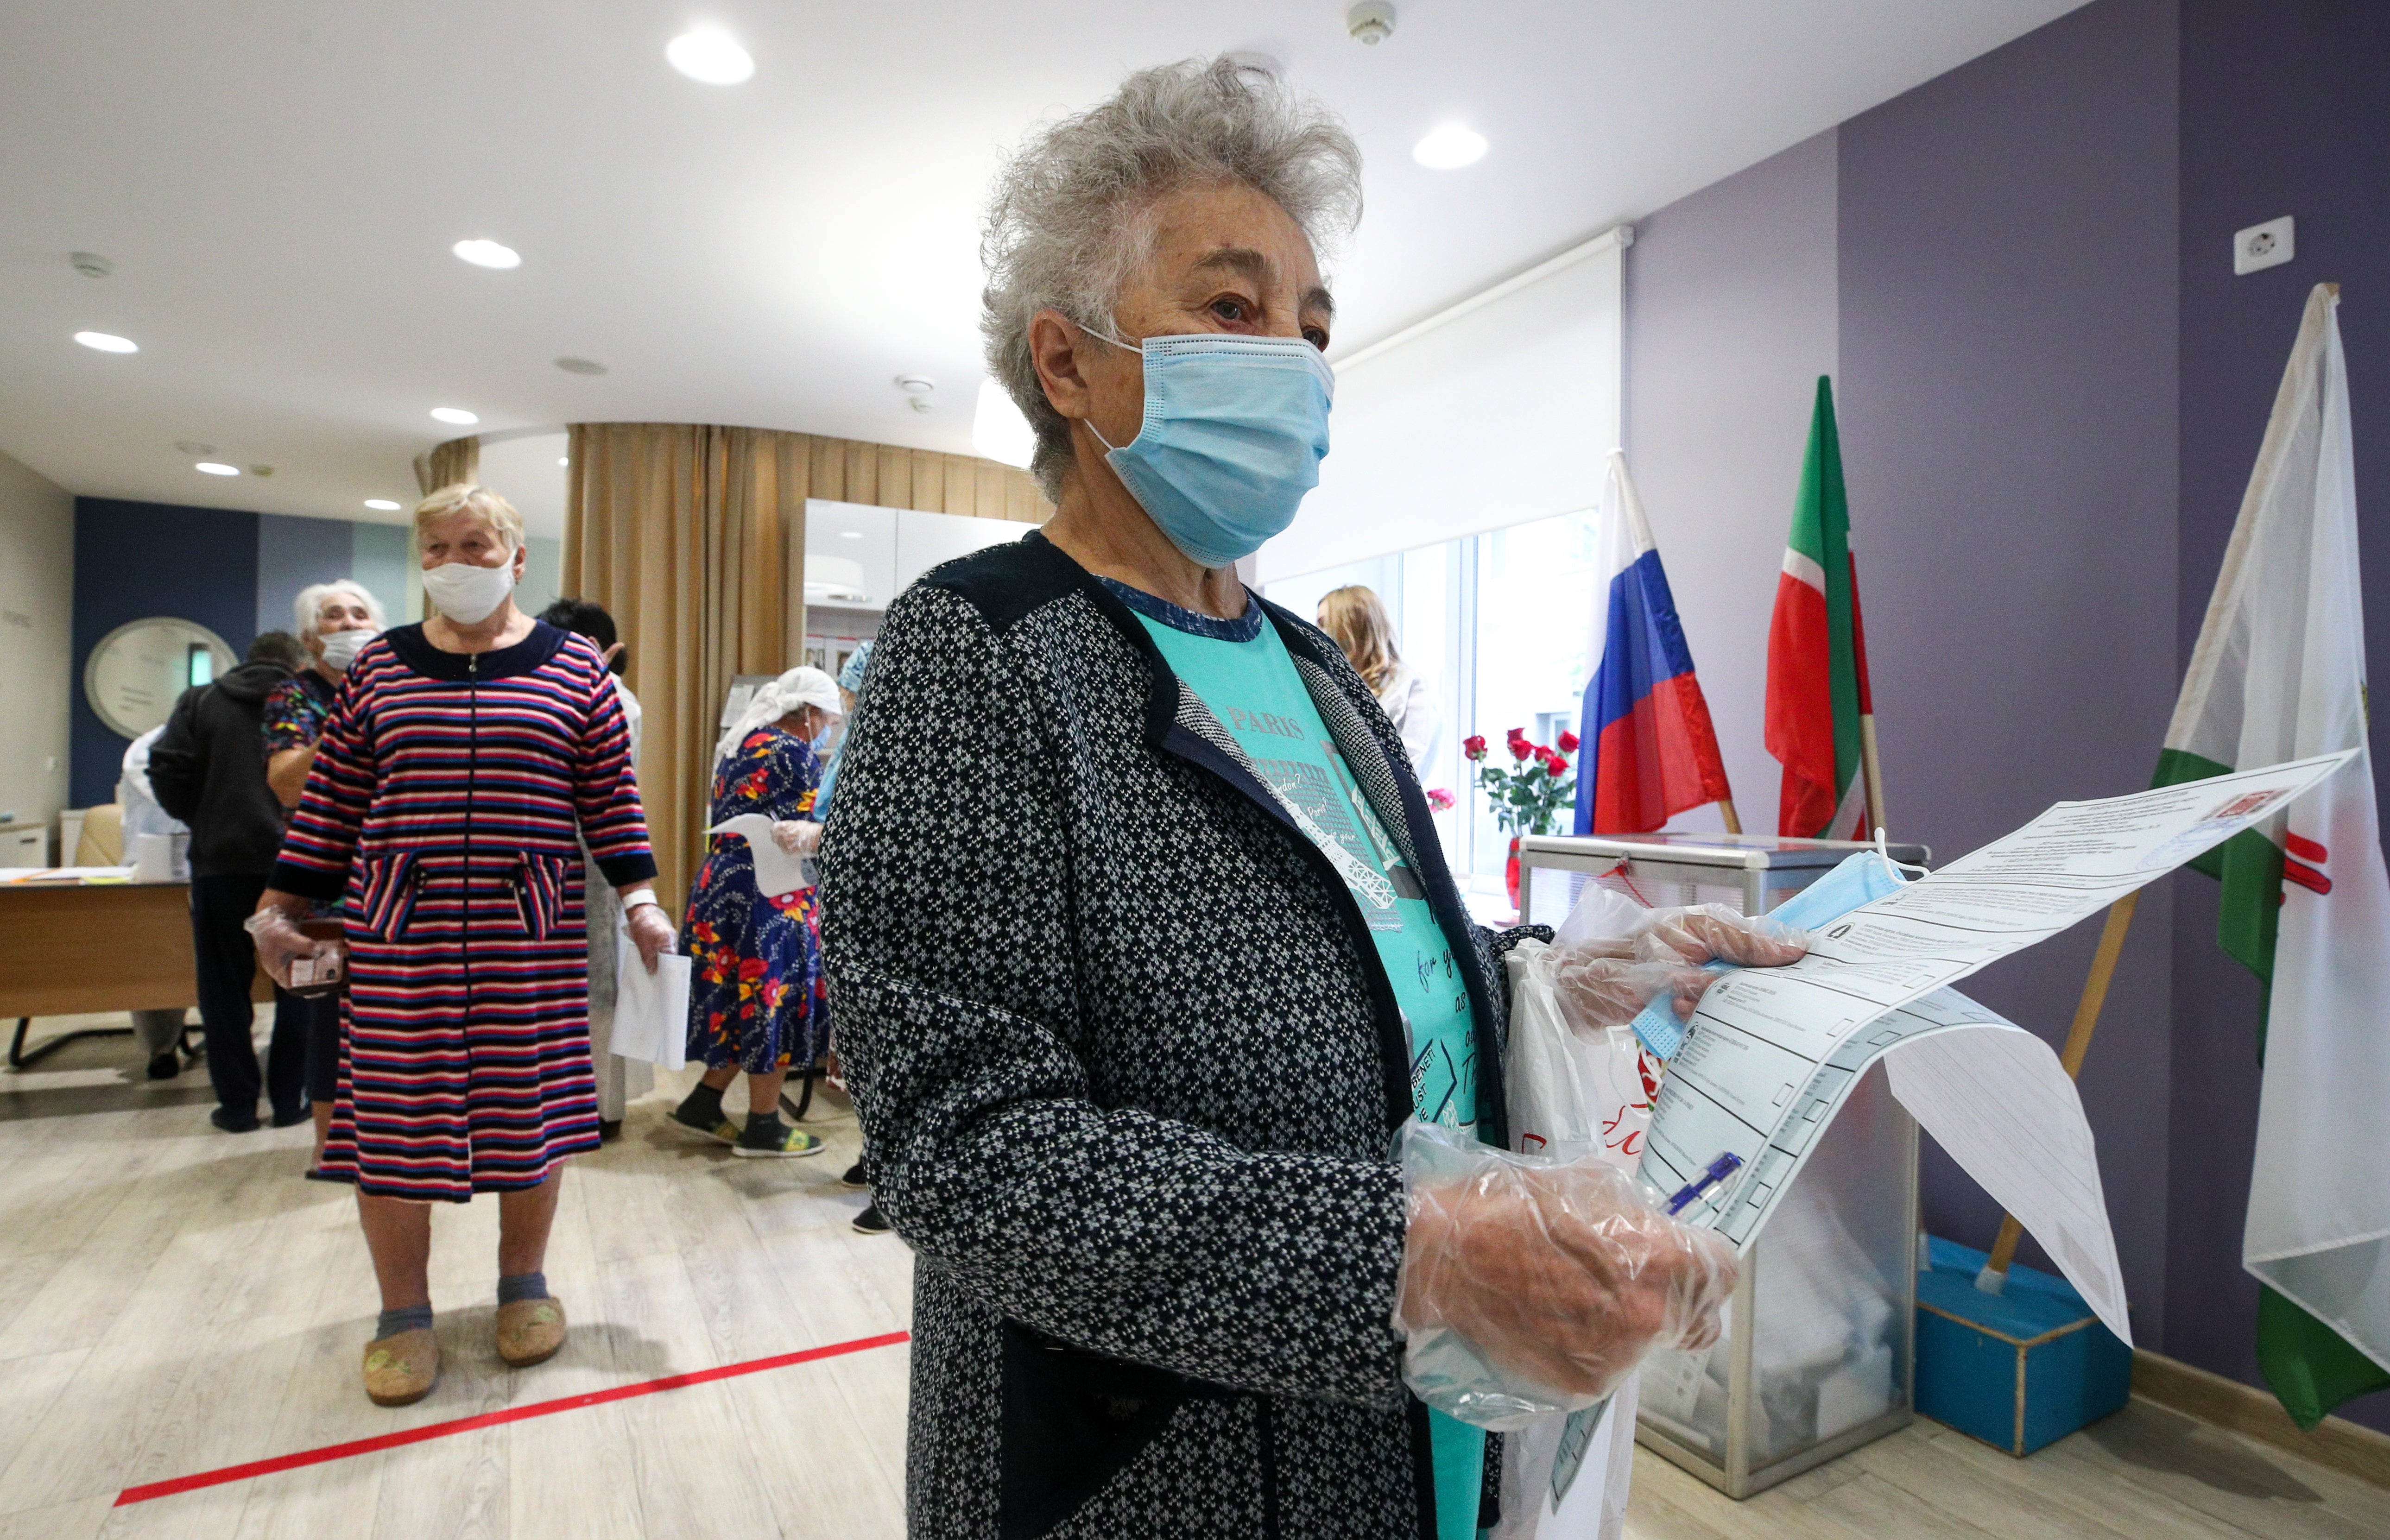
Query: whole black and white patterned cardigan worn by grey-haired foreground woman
<point>1127,1068</point>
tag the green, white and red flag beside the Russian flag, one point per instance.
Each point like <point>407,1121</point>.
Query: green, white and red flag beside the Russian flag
<point>1820,704</point>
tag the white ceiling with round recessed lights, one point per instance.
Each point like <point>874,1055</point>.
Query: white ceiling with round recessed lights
<point>278,188</point>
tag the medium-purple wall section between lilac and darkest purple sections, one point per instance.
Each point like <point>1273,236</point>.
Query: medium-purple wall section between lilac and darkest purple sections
<point>2009,436</point>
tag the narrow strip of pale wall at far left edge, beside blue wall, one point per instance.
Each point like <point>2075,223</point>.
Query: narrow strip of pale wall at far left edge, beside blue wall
<point>37,654</point>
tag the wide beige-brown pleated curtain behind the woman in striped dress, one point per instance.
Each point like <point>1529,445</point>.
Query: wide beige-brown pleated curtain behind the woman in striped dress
<point>687,532</point>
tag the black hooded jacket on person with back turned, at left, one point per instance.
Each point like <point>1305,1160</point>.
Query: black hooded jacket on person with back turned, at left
<point>209,769</point>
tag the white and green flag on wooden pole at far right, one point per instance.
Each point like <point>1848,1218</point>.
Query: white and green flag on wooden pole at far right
<point>2279,676</point>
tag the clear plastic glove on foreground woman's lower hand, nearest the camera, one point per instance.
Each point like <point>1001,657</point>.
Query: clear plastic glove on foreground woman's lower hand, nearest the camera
<point>1533,1288</point>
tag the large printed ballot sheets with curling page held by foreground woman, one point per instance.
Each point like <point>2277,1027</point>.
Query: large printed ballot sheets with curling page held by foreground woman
<point>1775,1053</point>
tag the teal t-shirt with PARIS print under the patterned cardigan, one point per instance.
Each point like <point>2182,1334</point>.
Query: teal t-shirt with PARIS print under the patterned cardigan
<point>1244,676</point>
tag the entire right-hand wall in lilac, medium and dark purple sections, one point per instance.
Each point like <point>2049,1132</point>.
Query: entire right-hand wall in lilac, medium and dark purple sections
<point>2052,391</point>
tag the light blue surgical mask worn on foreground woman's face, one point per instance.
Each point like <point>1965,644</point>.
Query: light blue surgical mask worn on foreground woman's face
<point>1232,439</point>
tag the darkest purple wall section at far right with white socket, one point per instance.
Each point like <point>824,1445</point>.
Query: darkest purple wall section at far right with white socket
<point>2284,111</point>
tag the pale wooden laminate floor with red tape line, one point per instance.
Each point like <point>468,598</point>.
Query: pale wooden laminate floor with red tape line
<point>178,1300</point>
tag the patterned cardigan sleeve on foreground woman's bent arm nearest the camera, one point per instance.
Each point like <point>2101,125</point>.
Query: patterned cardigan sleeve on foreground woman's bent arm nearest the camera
<point>950,953</point>
